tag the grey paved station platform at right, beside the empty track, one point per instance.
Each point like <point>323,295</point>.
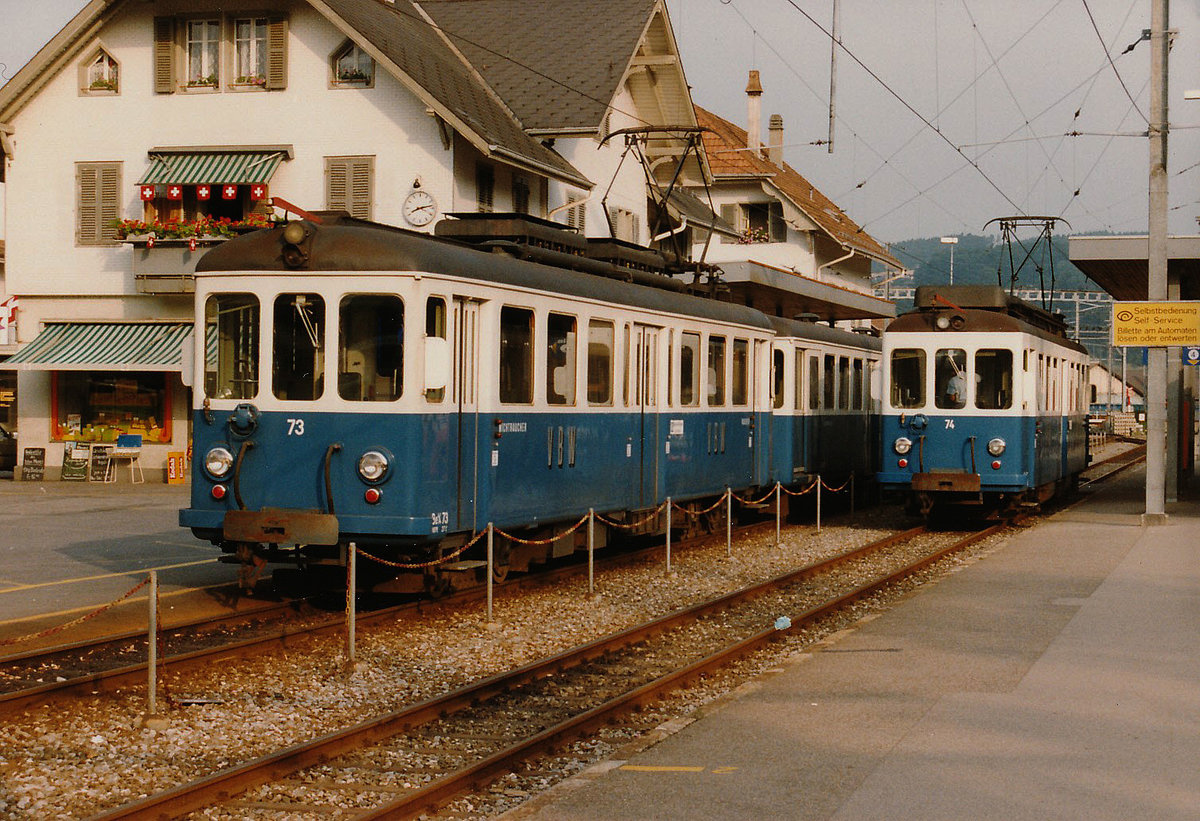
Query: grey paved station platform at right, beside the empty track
<point>1057,678</point>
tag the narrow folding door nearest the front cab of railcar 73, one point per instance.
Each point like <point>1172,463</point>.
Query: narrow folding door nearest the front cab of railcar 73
<point>466,387</point>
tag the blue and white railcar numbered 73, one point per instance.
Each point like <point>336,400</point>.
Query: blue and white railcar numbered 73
<point>364,383</point>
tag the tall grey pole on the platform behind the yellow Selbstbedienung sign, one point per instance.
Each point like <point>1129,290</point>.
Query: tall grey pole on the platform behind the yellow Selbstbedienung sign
<point>1157,280</point>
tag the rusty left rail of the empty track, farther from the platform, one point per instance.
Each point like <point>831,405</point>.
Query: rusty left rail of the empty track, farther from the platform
<point>237,780</point>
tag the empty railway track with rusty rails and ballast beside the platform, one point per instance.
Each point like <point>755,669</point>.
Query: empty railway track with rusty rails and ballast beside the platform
<point>417,759</point>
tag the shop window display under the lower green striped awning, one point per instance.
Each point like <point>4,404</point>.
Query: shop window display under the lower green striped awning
<point>99,407</point>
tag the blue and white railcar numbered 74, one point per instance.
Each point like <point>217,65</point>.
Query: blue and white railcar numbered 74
<point>987,401</point>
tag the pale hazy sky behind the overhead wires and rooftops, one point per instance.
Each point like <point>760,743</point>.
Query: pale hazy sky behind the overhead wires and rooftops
<point>1001,81</point>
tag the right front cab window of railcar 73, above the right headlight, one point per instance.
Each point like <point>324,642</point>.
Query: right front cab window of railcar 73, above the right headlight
<point>371,349</point>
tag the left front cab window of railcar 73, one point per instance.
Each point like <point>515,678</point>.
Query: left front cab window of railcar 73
<point>231,361</point>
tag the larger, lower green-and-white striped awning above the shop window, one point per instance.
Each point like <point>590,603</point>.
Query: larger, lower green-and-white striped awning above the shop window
<point>110,346</point>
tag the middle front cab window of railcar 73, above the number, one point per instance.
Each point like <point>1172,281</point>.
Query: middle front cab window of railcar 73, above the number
<point>298,356</point>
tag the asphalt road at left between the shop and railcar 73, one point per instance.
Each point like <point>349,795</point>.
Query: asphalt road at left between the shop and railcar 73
<point>67,549</point>
